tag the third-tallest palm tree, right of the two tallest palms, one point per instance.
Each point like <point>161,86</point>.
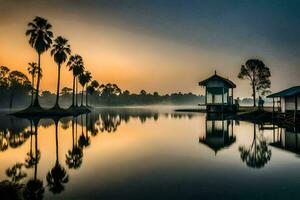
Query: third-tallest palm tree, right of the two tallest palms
<point>75,64</point>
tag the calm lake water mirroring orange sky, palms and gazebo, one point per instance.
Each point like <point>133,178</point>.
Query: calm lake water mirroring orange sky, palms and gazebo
<point>140,153</point>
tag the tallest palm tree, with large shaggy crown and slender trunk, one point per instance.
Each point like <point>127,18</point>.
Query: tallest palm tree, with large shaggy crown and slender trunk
<point>40,38</point>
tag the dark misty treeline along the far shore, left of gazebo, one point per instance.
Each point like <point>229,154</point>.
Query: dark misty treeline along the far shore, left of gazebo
<point>20,90</point>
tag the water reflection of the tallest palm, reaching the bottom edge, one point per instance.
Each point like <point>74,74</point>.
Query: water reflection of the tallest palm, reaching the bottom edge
<point>34,188</point>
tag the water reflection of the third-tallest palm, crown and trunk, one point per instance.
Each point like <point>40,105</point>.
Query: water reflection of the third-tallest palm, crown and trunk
<point>74,156</point>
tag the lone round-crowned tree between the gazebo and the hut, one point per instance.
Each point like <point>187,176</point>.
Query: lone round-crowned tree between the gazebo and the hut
<point>259,76</point>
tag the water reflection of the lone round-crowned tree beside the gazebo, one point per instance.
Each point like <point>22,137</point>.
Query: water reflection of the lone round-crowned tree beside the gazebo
<point>258,154</point>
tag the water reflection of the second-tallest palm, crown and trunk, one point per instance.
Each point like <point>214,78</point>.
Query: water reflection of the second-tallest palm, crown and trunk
<point>57,176</point>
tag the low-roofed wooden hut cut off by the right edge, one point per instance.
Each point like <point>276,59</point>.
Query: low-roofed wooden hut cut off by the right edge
<point>287,102</point>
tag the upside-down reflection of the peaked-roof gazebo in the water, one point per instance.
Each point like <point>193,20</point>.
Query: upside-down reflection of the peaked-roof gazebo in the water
<point>219,134</point>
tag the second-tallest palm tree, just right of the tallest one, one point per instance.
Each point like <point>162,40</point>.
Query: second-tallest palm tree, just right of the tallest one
<point>60,51</point>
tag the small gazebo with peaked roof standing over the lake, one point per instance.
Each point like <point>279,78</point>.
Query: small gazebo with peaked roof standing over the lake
<point>218,94</point>
